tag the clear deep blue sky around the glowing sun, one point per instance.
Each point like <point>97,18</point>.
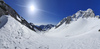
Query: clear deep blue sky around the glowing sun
<point>51,11</point>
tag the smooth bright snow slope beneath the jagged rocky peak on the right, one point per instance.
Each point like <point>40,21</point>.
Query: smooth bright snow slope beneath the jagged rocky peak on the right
<point>79,27</point>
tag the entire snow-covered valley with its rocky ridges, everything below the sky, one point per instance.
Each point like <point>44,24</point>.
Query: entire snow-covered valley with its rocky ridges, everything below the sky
<point>79,31</point>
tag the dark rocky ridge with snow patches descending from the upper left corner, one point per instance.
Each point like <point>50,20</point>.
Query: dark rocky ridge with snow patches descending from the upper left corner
<point>7,10</point>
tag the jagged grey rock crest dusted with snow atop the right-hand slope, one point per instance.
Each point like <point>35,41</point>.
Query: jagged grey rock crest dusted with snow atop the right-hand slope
<point>84,14</point>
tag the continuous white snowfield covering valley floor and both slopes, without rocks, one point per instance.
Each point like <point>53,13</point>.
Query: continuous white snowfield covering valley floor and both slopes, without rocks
<point>80,34</point>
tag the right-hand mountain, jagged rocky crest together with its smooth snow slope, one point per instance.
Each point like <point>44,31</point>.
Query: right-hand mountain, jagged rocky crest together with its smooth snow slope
<point>77,24</point>
